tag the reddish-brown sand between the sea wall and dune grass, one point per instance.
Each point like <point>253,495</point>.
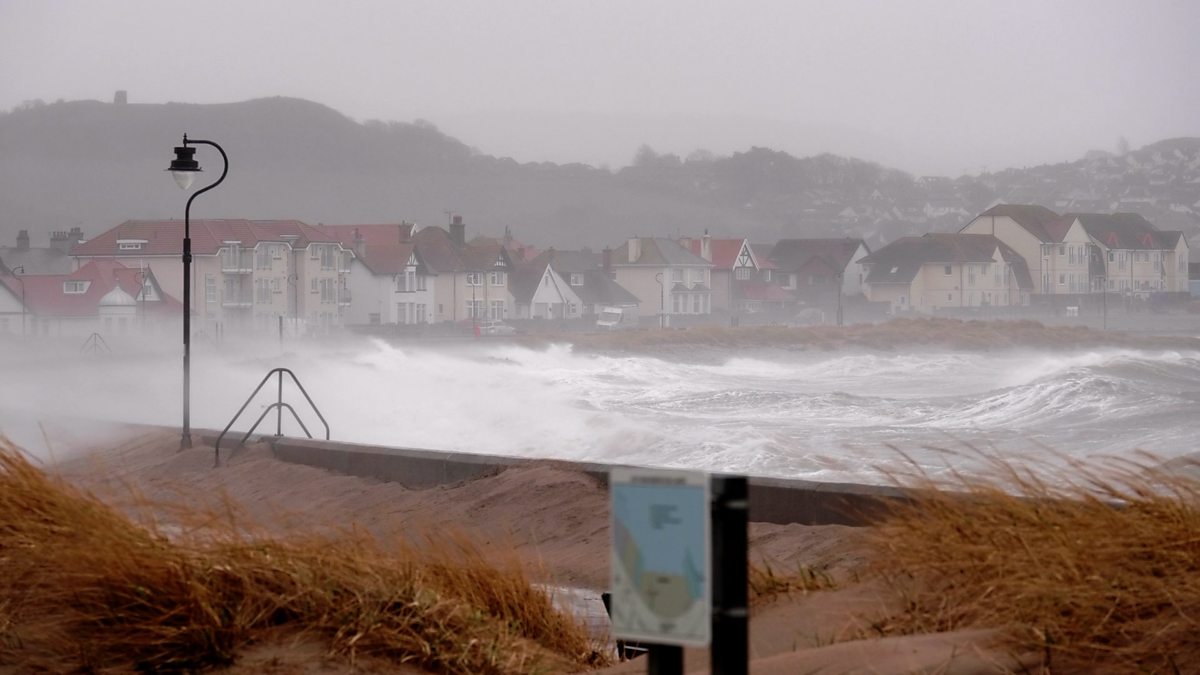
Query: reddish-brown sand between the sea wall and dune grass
<point>557,523</point>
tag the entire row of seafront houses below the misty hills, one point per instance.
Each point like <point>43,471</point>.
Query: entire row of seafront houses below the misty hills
<point>250,274</point>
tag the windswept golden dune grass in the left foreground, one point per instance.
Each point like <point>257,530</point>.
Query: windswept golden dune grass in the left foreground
<point>86,589</point>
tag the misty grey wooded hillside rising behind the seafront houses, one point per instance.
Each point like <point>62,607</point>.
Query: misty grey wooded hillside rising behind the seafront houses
<point>94,165</point>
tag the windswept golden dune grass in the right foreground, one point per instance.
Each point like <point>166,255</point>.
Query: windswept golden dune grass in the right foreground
<point>1102,575</point>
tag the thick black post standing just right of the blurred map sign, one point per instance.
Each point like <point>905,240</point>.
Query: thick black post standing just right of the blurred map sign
<point>731,616</point>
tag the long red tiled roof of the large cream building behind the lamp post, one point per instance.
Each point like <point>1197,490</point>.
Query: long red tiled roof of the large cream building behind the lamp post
<point>166,237</point>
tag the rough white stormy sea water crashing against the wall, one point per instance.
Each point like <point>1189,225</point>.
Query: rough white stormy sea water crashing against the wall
<point>827,416</point>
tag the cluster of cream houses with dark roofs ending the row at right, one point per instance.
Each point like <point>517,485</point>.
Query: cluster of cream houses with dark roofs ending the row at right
<point>1016,255</point>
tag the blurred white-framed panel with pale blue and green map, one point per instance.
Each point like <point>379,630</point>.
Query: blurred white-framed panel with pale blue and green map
<point>661,557</point>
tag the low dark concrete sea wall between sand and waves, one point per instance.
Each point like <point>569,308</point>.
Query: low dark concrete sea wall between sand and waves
<point>772,500</point>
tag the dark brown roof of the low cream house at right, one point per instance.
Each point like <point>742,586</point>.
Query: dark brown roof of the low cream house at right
<point>902,260</point>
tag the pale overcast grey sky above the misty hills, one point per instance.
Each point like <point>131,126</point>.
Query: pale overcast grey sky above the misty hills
<point>932,87</point>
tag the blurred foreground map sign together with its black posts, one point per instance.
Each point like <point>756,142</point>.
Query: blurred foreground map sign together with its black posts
<point>680,568</point>
